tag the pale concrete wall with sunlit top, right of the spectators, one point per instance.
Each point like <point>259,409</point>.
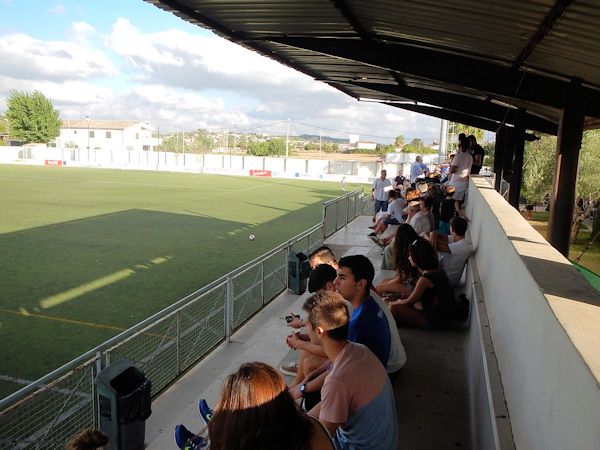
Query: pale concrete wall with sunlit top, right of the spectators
<point>545,326</point>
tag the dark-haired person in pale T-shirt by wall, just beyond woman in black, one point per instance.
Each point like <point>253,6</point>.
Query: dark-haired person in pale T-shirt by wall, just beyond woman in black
<point>454,250</point>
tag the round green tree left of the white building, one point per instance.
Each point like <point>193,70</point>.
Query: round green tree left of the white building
<point>32,117</point>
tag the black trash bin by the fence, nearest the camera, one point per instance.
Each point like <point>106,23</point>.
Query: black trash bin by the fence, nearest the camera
<point>124,402</point>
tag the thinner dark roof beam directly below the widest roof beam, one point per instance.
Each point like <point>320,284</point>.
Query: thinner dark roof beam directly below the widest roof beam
<point>460,103</point>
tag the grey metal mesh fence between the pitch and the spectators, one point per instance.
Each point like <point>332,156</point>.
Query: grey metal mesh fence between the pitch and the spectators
<point>47,413</point>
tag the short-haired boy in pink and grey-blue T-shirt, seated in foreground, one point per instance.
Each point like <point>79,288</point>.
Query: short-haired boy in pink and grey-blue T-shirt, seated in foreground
<point>357,406</point>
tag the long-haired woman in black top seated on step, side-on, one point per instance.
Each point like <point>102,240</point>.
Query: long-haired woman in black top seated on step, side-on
<point>431,304</point>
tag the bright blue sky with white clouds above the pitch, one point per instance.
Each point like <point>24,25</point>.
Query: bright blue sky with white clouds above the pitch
<point>129,60</point>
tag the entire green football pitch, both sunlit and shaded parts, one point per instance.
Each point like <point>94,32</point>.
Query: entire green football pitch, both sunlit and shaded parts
<point>87,253</point>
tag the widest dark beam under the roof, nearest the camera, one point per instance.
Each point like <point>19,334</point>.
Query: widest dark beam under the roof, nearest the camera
<point>448,68</point>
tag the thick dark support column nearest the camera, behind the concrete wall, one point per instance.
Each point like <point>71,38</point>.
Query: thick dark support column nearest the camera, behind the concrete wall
<point>570,132</point>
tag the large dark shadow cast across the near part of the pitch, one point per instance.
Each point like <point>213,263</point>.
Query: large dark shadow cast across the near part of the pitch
<point>114,270</point>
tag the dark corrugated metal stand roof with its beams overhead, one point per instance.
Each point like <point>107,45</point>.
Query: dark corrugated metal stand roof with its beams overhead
<point>481,63</point>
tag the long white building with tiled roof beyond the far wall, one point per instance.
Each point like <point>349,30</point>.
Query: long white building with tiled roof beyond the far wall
<point>114,135</point>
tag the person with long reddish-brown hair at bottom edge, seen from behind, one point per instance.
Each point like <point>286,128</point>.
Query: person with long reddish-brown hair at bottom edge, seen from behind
<point>256,411</point>
